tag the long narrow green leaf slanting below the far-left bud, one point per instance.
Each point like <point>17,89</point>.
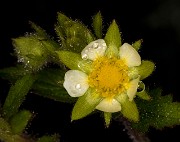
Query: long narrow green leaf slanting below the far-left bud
<point>16,95</point>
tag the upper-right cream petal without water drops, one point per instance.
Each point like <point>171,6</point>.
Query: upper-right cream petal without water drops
<point>130,55</point>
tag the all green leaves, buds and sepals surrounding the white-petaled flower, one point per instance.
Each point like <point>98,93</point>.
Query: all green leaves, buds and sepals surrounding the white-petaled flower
<point>37,51</point>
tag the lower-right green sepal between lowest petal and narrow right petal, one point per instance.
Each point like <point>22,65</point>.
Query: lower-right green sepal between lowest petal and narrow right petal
<point>128,108</point>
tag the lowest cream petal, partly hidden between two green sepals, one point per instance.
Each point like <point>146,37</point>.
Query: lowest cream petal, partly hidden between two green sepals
<point>109,105</point>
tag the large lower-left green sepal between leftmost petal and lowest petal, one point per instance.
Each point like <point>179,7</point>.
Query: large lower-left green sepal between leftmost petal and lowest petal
<point>85,104</point>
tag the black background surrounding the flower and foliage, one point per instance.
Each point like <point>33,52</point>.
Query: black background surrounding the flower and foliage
<point>157,22</point>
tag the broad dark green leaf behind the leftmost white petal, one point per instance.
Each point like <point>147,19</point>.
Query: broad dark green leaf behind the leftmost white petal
<point>49,84</point>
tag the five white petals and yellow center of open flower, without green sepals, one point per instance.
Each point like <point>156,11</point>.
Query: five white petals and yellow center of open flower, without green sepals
<point>110,76</point>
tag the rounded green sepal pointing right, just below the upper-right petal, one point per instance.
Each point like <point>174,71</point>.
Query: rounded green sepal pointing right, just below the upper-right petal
<point>145,69</point>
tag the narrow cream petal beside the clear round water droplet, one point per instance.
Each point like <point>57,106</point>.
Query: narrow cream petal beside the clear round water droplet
<point>131,92</point>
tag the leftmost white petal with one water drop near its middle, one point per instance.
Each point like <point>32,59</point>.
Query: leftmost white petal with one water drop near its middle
<point>76,83</point>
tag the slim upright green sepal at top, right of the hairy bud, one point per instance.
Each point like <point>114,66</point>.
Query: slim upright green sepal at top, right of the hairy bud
<point>97,25</point>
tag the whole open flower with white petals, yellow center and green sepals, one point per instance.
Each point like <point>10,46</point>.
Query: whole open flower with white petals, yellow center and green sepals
<point>106,76</point>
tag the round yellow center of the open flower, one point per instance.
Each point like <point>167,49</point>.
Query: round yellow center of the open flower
<point>109,76</point>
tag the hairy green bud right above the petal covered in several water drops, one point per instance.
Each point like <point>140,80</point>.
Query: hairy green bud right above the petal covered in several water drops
<point>74,35</point>
